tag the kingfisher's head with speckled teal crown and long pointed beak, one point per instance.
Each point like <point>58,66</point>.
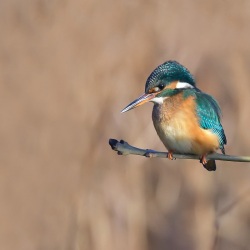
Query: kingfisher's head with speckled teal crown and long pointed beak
<point>166,80</point>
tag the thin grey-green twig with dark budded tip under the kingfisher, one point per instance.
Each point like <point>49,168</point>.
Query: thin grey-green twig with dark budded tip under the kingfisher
<point>123,148</point>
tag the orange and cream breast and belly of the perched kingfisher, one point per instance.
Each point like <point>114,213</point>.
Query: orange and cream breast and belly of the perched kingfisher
<point>178,127</point>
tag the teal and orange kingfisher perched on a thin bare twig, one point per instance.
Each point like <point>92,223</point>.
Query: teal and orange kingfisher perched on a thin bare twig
<point>187,120</point>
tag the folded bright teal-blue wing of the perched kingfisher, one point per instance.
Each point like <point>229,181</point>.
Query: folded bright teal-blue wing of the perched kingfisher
<point>208,111</point>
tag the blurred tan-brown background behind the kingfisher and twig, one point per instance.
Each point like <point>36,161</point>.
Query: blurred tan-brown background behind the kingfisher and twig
<point>67,68</point>
